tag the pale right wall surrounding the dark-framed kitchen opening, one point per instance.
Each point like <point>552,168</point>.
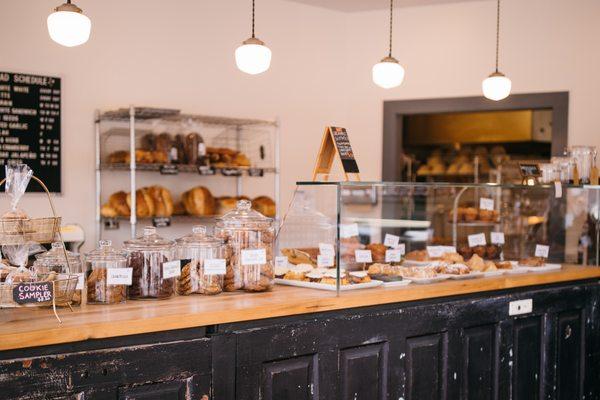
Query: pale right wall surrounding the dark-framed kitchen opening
<point>447,50</point>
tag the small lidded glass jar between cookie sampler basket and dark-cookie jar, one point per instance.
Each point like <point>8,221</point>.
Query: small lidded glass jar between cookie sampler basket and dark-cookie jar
<point>107,275</point>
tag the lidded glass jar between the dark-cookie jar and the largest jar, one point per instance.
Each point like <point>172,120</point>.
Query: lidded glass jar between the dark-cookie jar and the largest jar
<point>203,260</point>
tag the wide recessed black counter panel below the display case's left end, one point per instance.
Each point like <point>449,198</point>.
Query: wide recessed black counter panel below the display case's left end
<point>295,378</point>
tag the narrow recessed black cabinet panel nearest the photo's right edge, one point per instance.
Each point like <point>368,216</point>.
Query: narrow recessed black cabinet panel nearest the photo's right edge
<point>570,355</point>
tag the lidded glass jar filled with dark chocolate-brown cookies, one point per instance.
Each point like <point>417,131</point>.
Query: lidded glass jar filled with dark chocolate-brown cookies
<point>153,272</point>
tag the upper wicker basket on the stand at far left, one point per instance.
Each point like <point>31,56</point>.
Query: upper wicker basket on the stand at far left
<point>19,231</point>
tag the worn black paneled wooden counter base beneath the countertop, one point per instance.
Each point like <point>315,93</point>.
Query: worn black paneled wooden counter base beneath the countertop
<point>464,347</point>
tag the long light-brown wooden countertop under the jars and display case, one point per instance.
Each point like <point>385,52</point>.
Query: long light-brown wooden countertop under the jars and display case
<point>20,328</point>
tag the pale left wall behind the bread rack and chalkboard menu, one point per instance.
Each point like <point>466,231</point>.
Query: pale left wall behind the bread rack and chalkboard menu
<point>179,54</point>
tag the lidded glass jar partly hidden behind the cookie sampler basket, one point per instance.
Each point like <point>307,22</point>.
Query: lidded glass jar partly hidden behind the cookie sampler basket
<point>54,260</point>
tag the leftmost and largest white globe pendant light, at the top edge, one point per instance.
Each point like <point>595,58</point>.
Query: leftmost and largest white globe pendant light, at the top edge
<point>68,26</point>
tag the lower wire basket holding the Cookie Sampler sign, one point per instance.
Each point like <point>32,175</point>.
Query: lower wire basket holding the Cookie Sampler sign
<point>63,289</point>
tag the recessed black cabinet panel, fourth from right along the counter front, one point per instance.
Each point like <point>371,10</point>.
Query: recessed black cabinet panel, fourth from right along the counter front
<point>426,366</point>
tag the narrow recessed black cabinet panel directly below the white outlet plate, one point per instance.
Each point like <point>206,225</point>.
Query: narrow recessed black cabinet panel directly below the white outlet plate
<point>527,348</point>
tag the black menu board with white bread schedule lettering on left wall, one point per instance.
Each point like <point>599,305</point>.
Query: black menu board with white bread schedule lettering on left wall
<point>30,126</point>
